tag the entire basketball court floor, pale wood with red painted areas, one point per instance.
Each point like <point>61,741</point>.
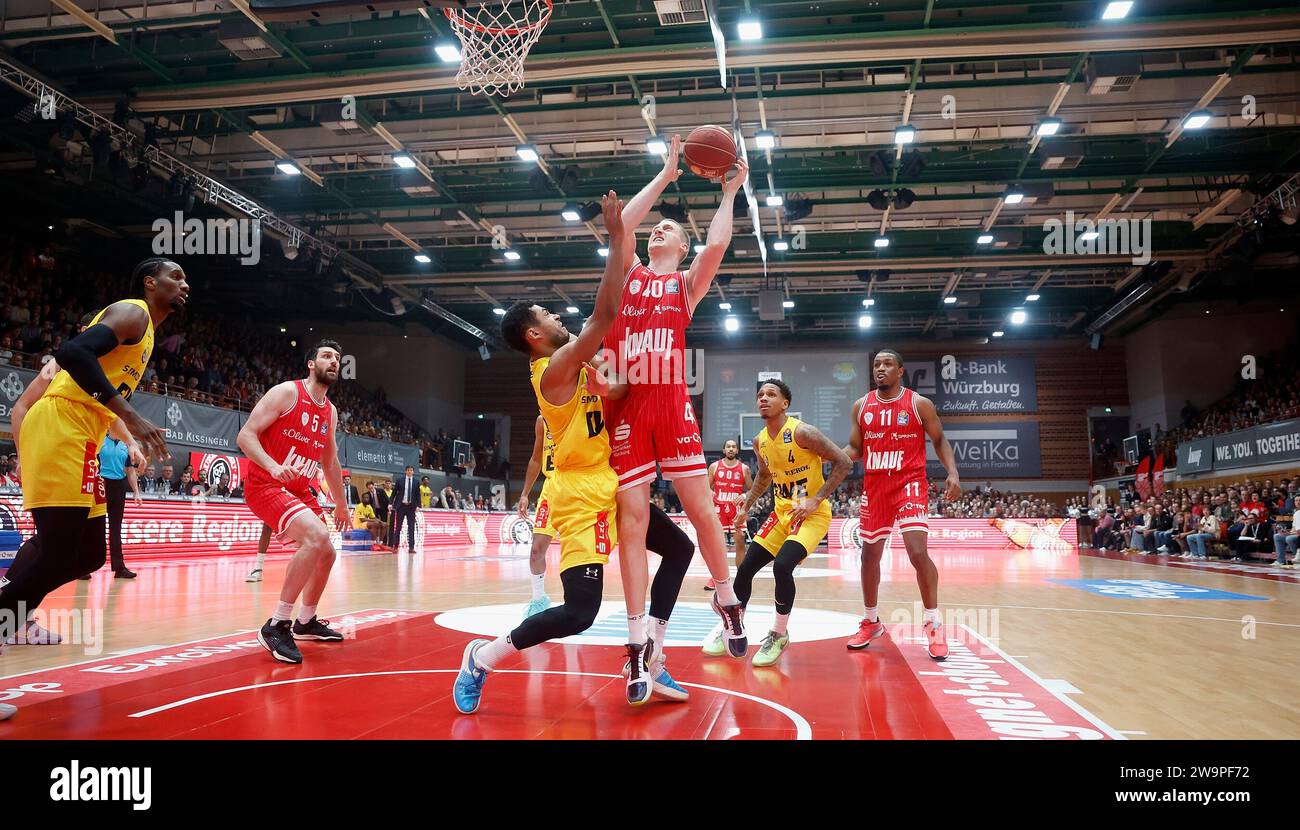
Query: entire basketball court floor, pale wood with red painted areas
<point>1046,646</point>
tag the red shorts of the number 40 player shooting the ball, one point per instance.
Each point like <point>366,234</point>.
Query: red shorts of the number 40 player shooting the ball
<point>655,425</point>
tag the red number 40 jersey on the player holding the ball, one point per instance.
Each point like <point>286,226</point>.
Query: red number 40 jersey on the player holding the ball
<point>649,336</point>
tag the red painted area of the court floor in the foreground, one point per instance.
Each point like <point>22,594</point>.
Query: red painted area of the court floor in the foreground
<point>392,680</point>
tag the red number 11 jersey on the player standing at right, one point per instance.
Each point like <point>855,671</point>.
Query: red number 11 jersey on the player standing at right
<point>894,442</point>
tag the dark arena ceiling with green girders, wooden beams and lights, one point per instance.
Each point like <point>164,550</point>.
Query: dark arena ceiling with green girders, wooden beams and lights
<point>235,88</point>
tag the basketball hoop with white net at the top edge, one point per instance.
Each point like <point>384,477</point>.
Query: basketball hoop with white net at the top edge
<point>496,37</point>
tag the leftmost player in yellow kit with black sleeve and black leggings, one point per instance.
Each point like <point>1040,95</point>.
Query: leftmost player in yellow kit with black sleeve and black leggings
<point>62,434</point>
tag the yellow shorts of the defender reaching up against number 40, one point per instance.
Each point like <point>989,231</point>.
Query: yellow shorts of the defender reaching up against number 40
<point>583,515</point>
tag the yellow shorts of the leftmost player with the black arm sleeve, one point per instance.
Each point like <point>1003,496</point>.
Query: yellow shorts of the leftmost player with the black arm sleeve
<point>60,457</point>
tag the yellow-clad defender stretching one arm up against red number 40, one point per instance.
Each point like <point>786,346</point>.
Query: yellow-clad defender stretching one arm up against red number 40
<point>583,487</point>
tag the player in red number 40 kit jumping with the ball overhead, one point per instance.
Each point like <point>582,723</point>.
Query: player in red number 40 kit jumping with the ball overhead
<point>651,418</point>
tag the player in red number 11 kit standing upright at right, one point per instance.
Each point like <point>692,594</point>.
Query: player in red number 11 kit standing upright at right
<point>890,429</point>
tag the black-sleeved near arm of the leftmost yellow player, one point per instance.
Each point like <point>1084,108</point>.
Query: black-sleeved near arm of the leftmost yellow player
<point>120,325</point>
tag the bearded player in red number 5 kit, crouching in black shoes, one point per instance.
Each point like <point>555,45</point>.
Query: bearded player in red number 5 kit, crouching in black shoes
<point>289,438</point>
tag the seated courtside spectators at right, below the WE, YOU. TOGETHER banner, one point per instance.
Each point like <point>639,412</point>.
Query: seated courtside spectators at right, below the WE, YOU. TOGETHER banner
<point>1240,522</point>
